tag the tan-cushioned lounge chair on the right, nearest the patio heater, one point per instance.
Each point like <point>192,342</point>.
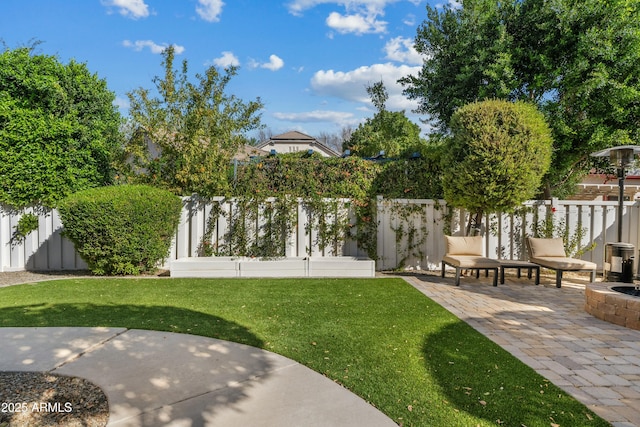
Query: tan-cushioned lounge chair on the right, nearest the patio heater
<point>550,253</point>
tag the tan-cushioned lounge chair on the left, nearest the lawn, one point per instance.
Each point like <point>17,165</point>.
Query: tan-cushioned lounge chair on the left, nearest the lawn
<point>465,253</point>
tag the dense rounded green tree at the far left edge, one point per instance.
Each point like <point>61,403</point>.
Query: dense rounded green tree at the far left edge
<point>59,129</point>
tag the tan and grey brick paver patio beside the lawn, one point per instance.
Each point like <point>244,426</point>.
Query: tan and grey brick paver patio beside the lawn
<point>548,329</point>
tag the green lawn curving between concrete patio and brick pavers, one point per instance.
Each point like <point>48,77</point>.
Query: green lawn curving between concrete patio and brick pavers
<point>380,338</point>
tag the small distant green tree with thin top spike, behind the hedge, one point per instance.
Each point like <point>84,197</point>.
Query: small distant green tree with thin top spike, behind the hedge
<point>388,131</point>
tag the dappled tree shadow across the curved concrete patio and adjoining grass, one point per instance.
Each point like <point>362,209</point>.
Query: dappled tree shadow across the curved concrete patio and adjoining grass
<point>183,365</point>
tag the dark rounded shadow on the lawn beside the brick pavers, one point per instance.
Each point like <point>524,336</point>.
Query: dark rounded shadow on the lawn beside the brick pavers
<point>482,379</point>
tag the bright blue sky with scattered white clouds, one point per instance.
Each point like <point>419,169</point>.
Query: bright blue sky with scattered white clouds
<point>309,61</point>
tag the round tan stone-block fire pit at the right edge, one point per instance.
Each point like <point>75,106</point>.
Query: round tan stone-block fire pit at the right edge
<point>614,303</point>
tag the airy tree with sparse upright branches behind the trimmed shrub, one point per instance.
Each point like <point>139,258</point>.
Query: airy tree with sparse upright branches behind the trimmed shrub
<point>184,139</point>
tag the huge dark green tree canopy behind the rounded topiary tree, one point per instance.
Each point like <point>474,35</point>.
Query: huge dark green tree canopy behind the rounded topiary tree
<point>578,60</point>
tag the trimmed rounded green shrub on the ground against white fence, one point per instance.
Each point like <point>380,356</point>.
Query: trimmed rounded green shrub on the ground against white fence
<point>124,229</point>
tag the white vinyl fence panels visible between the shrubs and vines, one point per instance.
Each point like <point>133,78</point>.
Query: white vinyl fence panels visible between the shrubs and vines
<point>409,235</point>
